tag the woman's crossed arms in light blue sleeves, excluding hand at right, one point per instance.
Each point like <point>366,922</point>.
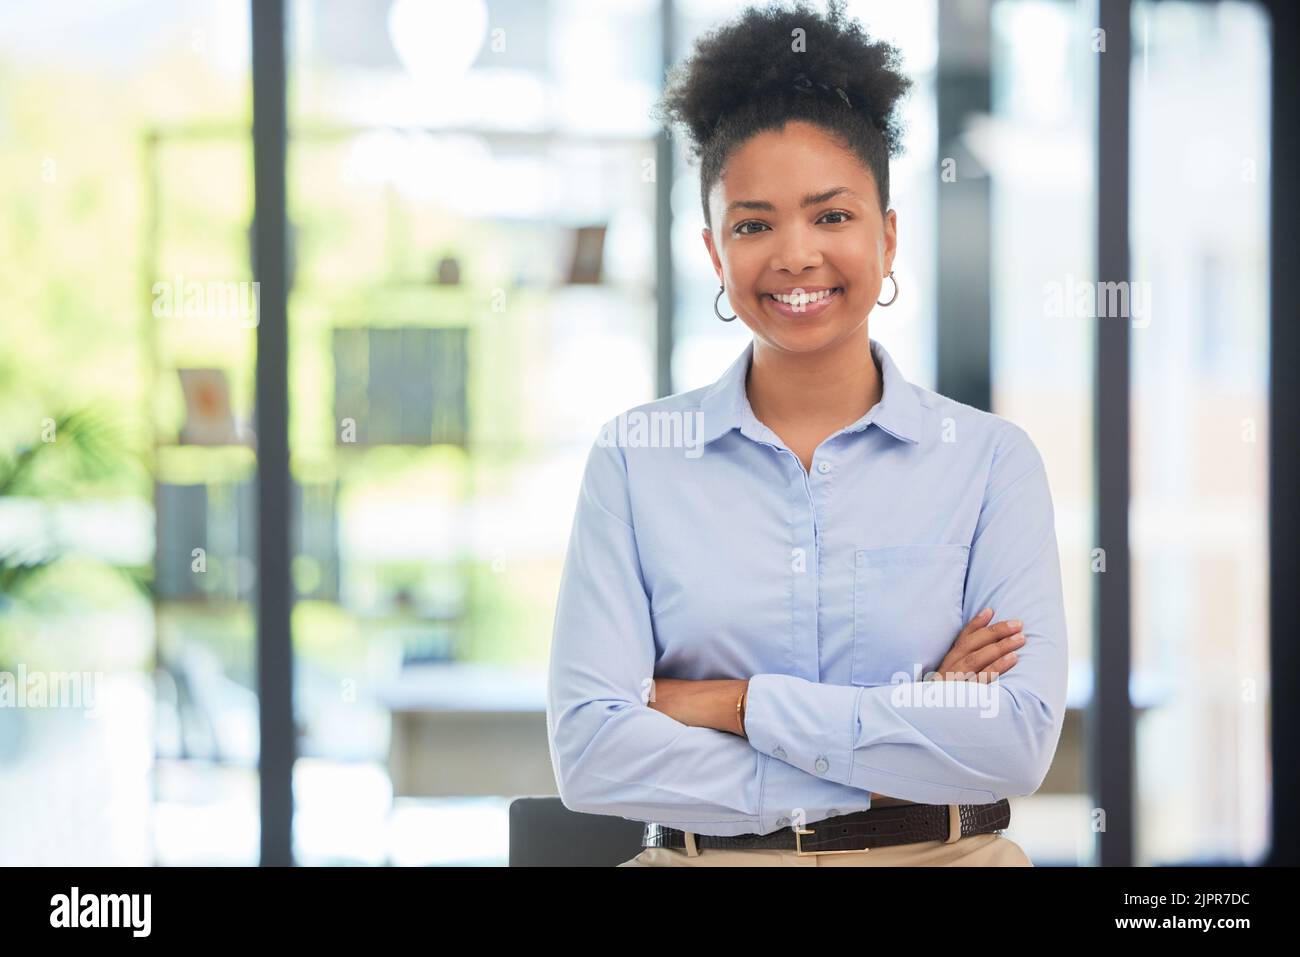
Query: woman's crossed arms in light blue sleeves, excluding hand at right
<point>617,752</point>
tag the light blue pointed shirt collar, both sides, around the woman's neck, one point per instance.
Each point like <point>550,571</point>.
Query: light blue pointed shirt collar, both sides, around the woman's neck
<point>726,405</point>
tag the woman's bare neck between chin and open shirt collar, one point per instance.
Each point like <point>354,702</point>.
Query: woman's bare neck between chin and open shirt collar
<point>827,389</point>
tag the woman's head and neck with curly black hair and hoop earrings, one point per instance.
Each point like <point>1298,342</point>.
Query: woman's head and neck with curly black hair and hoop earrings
<point>794,118</point>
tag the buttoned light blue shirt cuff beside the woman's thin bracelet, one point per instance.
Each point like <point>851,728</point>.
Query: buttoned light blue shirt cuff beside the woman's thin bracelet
<point>804,724</point>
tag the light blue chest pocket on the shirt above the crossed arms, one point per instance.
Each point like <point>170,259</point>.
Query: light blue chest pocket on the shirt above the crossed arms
<point>907,609</point>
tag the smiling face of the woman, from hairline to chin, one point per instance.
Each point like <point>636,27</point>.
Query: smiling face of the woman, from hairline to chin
<point>765,240</point>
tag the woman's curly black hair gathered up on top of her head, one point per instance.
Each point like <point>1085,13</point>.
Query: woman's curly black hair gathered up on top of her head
<point>775,64</point>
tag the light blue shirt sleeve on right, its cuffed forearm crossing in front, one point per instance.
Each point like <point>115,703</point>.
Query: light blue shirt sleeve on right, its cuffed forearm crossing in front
<point>939,742</point>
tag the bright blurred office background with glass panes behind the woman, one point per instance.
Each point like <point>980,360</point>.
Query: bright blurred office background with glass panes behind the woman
<point>489,257</point>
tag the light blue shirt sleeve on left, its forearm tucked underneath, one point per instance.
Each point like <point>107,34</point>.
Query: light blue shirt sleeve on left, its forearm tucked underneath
<point>610,751</point>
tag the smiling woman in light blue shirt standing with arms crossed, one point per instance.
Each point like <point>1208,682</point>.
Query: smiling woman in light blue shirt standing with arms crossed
<point>765,574</point>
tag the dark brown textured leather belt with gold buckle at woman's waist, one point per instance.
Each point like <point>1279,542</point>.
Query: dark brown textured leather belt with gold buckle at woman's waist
<point>846,834</point>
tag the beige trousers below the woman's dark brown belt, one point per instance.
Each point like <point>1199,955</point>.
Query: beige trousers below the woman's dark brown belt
<point>976,851</point>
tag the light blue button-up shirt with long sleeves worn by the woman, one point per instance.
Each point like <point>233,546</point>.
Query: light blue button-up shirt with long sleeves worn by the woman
<point>703,549</point>
